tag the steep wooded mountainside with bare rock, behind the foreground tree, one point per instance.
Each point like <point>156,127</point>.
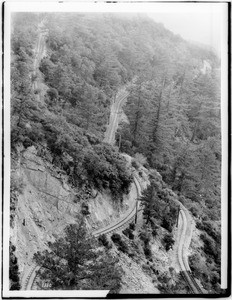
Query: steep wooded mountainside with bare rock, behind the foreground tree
<point>66,72</point>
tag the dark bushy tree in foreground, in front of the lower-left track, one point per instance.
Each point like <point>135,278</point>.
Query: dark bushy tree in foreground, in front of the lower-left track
<point>76,261</point>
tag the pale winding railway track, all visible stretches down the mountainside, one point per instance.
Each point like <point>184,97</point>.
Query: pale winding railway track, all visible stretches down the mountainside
<point>185,237</point>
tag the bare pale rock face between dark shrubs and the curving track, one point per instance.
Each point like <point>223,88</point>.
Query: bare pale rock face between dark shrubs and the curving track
<point>47,203</point>
